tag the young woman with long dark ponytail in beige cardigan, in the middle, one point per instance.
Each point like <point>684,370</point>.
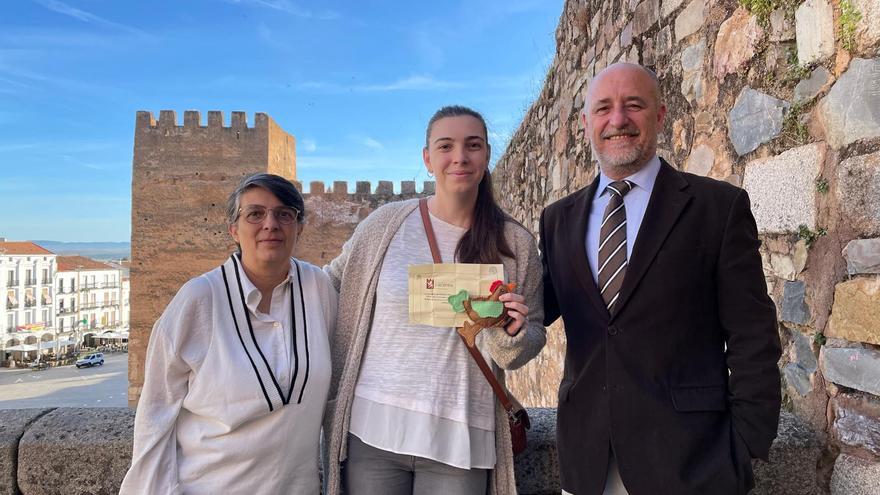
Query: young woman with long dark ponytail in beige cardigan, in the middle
<point>410,412</point>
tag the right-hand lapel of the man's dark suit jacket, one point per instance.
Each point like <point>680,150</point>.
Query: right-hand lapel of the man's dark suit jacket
<point>668,200</point>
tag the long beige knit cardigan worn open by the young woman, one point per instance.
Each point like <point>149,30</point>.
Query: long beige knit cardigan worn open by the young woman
<point>355,274</point>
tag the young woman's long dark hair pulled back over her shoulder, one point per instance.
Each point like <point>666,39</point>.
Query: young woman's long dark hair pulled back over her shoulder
<point>484,241</point>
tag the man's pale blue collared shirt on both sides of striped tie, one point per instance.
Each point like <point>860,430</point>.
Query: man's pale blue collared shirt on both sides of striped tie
<point>635,203</point>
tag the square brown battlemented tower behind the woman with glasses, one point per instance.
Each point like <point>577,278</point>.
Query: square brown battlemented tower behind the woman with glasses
<point>180,179</point>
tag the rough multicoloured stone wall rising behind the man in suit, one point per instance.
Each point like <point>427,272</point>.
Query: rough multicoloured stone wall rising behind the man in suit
<point>784,101</point>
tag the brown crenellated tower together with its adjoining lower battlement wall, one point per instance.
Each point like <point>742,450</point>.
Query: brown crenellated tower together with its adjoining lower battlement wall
<point>181,178</point>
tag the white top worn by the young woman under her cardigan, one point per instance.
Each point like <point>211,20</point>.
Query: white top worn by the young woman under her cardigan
<point>419,391</point>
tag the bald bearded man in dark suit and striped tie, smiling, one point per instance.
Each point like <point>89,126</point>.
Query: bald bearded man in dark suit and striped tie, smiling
<point>670,383</point>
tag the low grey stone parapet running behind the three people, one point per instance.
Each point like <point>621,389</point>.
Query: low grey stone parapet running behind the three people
<point>79,451</point>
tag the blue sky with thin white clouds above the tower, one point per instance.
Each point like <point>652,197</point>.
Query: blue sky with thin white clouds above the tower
<point>354,81</point>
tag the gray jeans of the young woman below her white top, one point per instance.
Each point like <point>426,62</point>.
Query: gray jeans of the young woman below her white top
<point>372,471</point>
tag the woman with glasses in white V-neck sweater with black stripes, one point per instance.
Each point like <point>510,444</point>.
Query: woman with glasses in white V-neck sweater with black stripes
<point>238,365</point>
